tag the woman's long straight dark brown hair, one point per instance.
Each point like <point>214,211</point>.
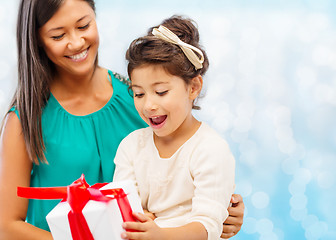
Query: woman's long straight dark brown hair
<point>35,71</point>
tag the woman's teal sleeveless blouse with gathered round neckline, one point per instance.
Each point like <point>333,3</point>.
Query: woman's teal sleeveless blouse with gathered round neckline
<point>81,144</point>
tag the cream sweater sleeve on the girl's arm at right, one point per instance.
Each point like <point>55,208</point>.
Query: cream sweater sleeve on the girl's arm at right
<point>213,172</point>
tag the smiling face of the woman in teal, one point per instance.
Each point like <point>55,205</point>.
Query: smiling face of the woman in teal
<point>70,38</point>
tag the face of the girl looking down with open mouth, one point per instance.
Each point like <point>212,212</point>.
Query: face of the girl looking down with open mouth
<point>163,101</point>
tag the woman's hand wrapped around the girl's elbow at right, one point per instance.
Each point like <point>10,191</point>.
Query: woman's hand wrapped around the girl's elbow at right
<point>233,223</point>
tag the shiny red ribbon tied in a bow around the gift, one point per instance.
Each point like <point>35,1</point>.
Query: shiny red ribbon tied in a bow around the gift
<point>77,195</point>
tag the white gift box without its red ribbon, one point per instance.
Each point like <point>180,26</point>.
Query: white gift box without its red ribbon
<point>104,219</point>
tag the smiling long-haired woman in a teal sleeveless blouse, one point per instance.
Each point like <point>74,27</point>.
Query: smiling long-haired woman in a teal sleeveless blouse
<point>67,116</point>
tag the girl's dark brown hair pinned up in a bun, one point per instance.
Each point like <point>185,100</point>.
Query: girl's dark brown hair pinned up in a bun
<point>150,50</point>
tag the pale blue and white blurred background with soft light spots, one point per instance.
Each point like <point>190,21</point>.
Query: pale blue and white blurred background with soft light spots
<point>270,91</point>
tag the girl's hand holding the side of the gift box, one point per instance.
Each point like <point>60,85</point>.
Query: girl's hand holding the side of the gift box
<point>146,228</point>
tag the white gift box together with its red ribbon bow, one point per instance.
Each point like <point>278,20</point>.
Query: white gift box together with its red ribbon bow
<point>89,212</point>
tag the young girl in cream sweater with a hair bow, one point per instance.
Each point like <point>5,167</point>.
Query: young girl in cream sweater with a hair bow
<point>183,169</point>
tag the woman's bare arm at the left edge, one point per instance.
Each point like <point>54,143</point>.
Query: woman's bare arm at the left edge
<point>15,170</point>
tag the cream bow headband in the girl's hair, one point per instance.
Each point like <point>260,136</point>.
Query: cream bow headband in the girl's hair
<point>189,50</point>
